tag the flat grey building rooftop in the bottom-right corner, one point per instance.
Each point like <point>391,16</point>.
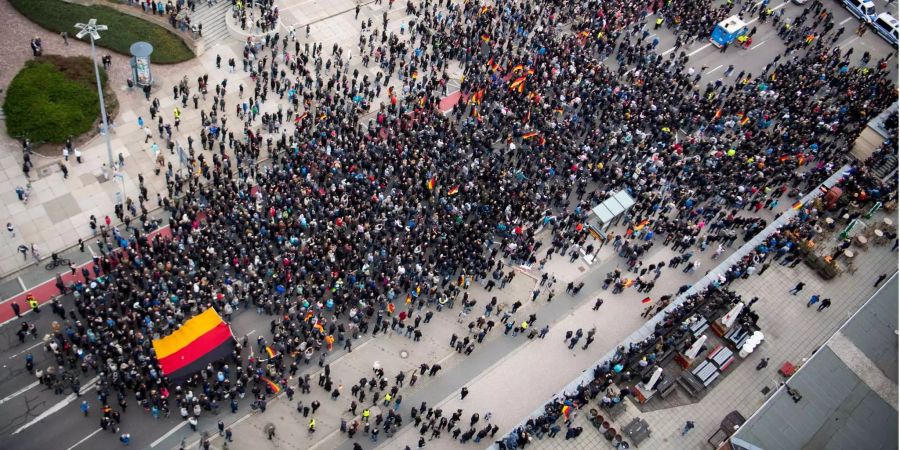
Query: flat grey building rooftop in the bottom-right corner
<point>847,390</point>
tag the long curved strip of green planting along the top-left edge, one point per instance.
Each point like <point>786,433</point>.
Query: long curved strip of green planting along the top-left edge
<point>124,30</point>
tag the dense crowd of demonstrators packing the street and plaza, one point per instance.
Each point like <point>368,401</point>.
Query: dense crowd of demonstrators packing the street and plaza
<point>368,218</point>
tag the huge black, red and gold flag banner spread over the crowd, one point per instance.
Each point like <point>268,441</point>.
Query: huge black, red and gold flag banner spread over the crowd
<point>200,341</point>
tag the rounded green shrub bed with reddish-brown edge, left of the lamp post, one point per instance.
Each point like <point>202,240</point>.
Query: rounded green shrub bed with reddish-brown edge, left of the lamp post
<point>52,98</point>
